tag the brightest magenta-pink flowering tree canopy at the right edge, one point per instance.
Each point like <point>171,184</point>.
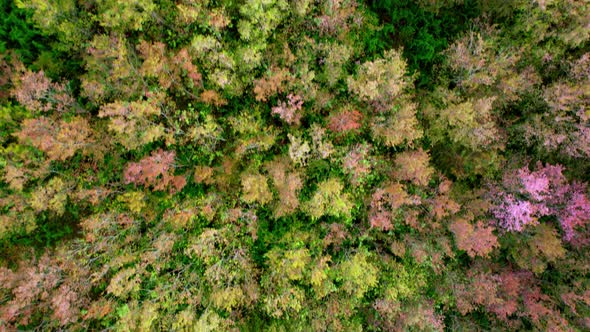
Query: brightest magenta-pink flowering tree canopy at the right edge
<point>527,195</point>
